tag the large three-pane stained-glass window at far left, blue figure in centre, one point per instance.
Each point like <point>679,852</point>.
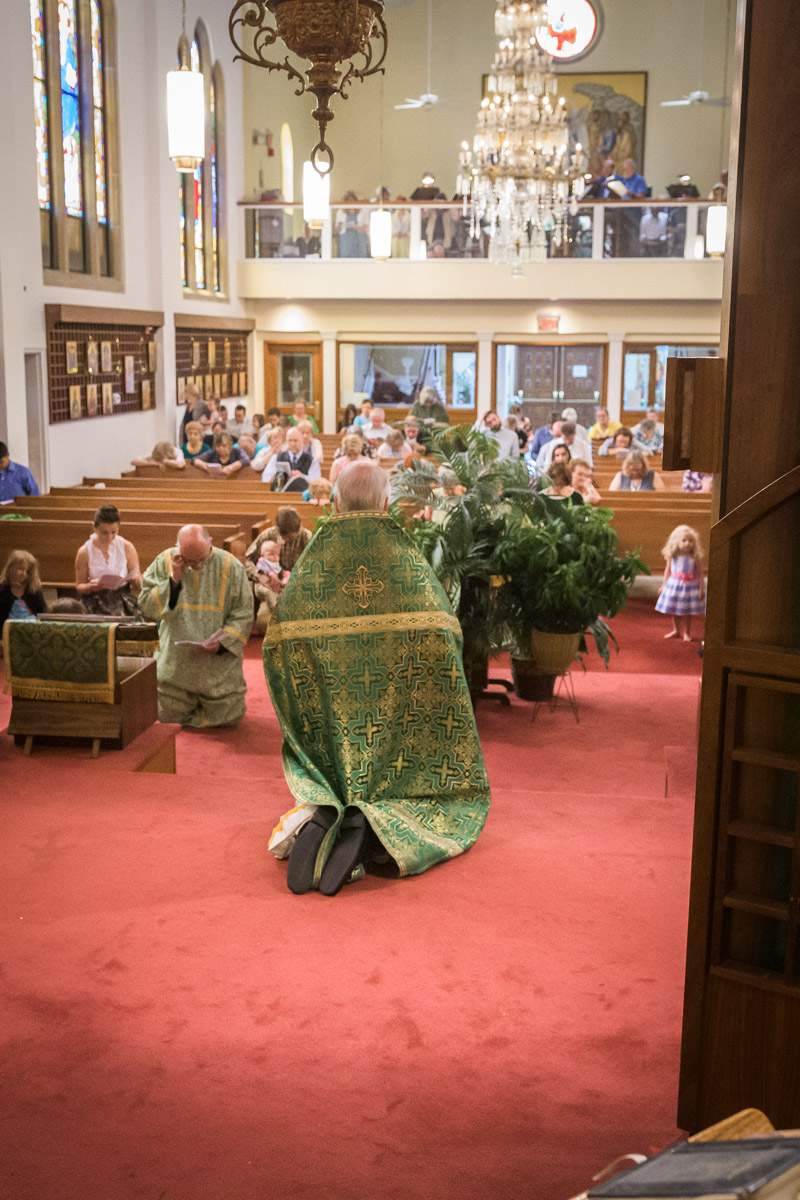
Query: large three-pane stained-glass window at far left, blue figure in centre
<point>76,146</point>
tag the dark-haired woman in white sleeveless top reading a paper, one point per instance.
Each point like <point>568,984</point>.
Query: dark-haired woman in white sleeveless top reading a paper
<point>107,569</point>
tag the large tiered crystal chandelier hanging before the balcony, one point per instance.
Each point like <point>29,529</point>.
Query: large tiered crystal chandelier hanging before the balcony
<point>518,177</point>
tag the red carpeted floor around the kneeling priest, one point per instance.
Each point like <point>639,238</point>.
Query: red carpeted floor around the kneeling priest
<point>179,1027</point>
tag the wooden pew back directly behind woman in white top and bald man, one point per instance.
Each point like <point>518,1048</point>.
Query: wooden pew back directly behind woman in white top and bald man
<point>57,543</point>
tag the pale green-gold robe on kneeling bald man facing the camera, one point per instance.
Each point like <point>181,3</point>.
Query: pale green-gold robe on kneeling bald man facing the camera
<point>196,688</point>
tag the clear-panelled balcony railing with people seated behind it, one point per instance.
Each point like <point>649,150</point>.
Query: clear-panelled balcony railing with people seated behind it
<point>601,230</point>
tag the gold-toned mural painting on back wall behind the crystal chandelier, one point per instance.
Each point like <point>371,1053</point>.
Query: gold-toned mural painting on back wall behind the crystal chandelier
<point>607,116</point>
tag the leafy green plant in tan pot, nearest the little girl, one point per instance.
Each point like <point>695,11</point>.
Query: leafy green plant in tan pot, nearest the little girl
<point>562,579</point>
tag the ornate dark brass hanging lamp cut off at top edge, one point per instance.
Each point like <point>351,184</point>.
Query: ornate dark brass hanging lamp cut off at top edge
<point>327,33</point>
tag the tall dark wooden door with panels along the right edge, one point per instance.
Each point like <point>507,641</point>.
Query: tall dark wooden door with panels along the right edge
<point>742,1011</point>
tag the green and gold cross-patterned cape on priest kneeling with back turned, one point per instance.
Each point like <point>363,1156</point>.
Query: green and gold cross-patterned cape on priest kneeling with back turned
<point>363,659</point>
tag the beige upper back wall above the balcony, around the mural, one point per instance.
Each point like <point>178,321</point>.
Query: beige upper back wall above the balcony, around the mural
<point>659,37</point>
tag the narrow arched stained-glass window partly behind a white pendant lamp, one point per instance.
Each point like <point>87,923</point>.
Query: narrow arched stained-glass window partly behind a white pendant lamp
<point>202,202</point>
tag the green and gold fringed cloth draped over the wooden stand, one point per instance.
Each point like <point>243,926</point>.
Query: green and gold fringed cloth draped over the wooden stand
<point>55,661</point>
